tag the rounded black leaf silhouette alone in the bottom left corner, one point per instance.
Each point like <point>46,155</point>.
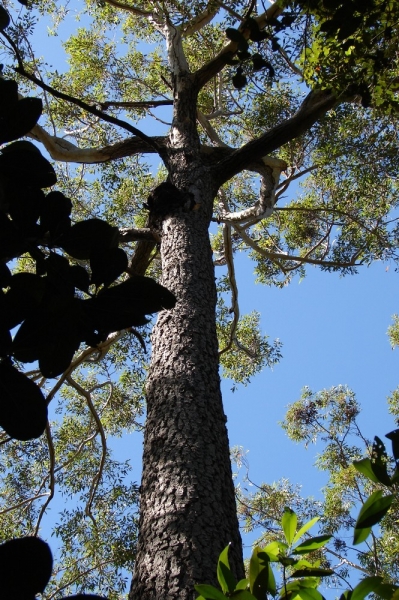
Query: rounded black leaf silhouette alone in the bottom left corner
<point>25,565</point>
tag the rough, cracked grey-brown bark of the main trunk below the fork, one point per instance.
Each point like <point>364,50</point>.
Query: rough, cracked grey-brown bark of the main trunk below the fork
<point>187,501</point>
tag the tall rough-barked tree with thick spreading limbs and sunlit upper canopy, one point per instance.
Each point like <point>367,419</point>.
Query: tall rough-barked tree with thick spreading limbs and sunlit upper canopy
<point>259,97</point>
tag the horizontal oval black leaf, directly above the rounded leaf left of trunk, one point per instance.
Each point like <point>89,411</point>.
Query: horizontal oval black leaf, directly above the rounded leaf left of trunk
<point>89,236</point>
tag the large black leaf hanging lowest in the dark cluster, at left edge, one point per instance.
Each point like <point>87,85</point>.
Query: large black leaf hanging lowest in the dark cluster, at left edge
<point>23,409</point>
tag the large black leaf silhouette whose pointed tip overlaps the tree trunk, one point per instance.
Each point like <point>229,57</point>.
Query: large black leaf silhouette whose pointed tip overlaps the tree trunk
<point>126,304</point>
